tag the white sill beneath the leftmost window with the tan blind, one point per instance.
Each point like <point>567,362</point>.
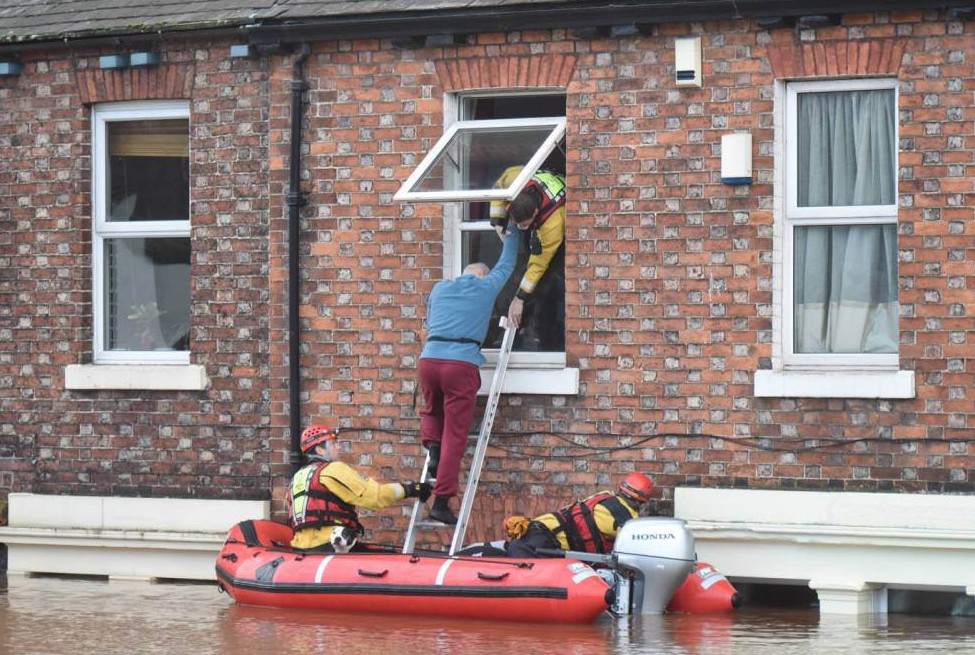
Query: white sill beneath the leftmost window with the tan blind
<point>149,377</point>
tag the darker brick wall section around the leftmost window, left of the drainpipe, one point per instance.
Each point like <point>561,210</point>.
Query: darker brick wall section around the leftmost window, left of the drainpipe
<point>206,445</point>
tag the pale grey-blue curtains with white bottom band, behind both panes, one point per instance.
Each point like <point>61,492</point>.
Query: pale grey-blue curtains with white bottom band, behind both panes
<point>846,275</point>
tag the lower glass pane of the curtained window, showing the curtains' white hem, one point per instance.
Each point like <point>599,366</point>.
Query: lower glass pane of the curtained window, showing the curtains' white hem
<point>846,289</point>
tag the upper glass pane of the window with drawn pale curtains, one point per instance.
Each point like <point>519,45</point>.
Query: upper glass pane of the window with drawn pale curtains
<point>846,146</point>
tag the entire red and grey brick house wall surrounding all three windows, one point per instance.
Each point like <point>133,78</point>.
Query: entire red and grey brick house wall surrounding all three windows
<point>669,272</point>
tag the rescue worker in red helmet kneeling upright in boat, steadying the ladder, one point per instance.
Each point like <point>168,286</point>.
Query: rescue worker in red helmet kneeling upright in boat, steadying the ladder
<point>325,493</point>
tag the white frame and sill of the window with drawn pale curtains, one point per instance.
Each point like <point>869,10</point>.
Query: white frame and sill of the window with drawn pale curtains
<point>794,374</point>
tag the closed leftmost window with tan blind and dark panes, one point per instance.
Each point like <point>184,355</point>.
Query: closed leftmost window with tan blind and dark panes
<point>141,233</point>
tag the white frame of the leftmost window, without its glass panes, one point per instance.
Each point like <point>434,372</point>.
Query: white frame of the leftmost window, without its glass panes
<point>103,229</point>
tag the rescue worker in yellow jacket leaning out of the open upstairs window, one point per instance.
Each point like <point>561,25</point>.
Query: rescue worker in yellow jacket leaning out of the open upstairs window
<point>539,210</point>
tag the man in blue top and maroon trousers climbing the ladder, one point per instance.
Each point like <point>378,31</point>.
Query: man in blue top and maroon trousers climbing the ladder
<point>458,313</point>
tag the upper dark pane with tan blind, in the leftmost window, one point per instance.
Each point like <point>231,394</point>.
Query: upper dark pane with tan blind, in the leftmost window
<point>148,168</point>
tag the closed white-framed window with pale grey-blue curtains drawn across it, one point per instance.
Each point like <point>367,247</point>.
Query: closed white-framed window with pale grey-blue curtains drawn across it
<point>838,300</point>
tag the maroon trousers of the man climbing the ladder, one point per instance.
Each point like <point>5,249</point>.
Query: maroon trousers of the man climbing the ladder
<point>449,395</point>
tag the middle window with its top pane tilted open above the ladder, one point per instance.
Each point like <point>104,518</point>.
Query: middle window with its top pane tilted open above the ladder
<point>492,147</point>
